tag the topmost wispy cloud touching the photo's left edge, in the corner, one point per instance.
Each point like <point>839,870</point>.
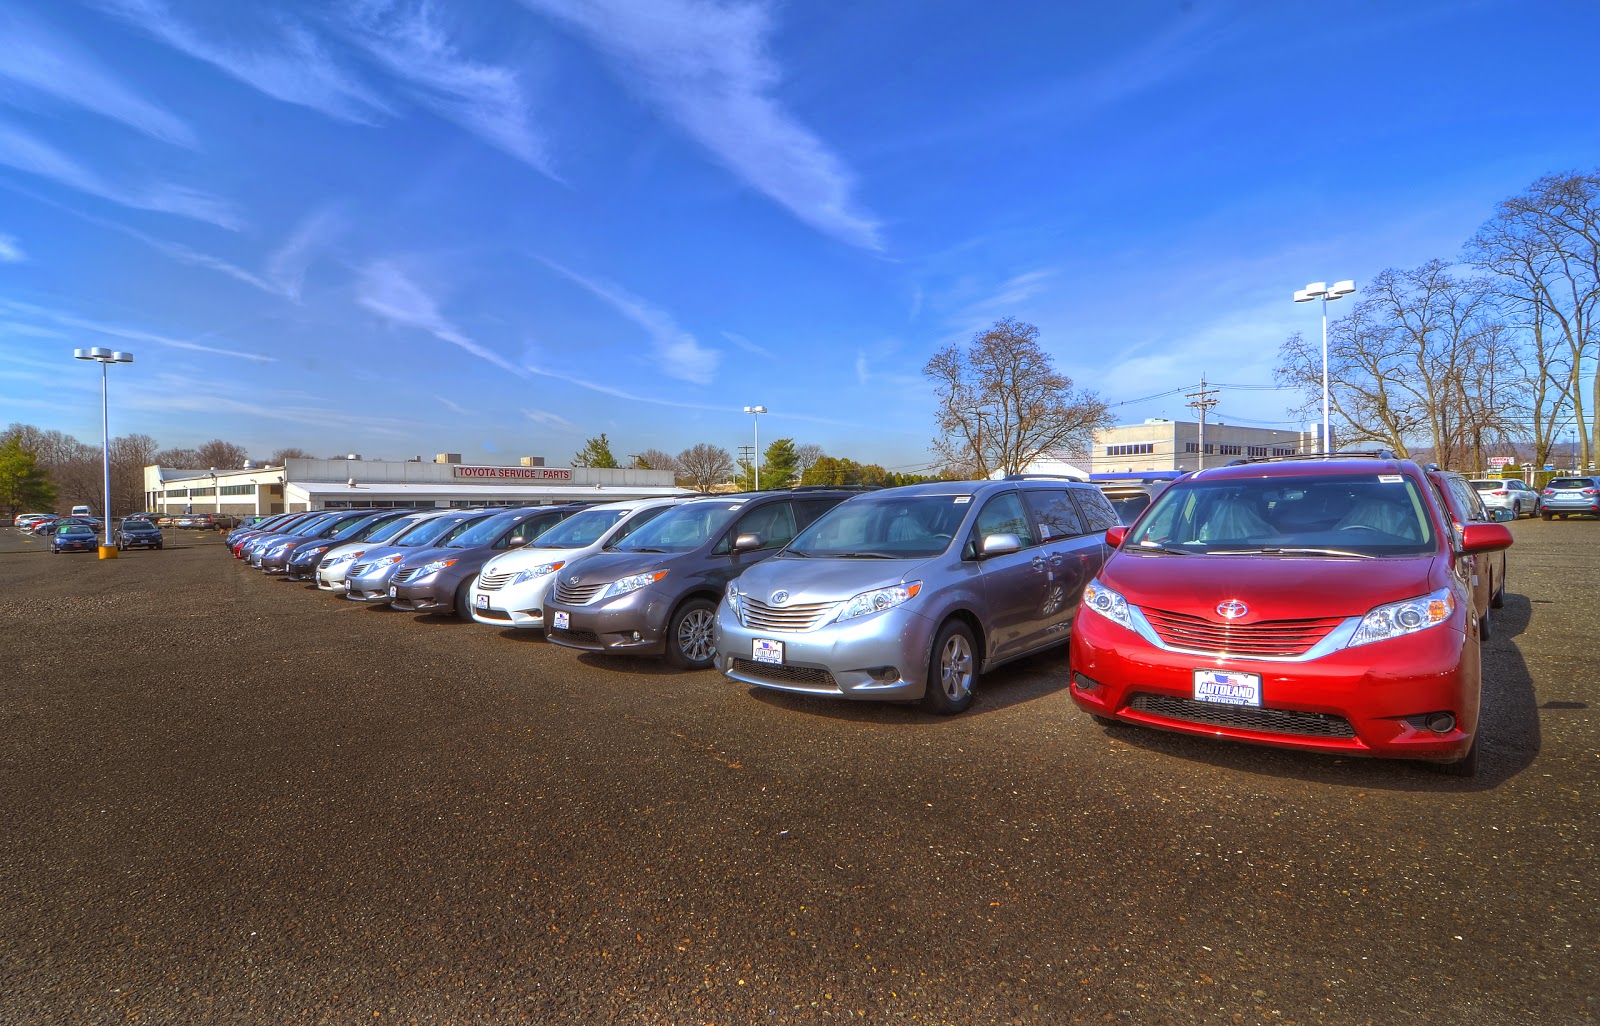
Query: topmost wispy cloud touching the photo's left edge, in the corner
<point>39,60</point>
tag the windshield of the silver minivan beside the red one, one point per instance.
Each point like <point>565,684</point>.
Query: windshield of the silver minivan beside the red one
<point>897,527</point>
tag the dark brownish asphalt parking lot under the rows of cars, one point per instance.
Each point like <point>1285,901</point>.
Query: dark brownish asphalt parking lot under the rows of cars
<point>231,800</point>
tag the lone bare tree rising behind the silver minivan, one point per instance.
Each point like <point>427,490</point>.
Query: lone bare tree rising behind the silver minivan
<point>1002,403</point>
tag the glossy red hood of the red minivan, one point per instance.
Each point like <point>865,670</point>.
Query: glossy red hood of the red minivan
<point>1273,587</point>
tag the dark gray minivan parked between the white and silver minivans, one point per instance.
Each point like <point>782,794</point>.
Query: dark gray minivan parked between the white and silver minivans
<point>657,591</point>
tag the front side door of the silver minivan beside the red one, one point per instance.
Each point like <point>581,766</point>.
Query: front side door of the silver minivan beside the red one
<point>1015,585</point>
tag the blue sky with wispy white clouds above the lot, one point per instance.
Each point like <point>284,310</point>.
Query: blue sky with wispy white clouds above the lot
<point>503,226</point>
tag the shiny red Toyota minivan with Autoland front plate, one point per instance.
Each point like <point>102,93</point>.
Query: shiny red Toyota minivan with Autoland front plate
<point>1314,603</point>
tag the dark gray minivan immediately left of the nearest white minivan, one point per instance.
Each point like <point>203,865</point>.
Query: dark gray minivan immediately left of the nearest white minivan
<point>439,580</point>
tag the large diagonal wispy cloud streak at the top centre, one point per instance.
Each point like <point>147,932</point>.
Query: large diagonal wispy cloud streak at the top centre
<point>706,66</point>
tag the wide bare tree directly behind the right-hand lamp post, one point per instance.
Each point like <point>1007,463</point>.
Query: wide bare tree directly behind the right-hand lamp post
<point>1422,361</point>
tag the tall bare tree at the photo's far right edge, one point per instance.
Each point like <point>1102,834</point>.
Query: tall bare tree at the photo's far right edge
<point>1545,250</point>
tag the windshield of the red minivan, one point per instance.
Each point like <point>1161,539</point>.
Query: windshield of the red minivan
<point>1353,515</point>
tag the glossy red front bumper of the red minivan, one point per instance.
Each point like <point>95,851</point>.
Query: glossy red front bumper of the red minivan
<point>1354,702</point>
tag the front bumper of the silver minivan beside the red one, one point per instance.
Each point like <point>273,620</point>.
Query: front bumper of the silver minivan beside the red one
<point>881,657</point>
